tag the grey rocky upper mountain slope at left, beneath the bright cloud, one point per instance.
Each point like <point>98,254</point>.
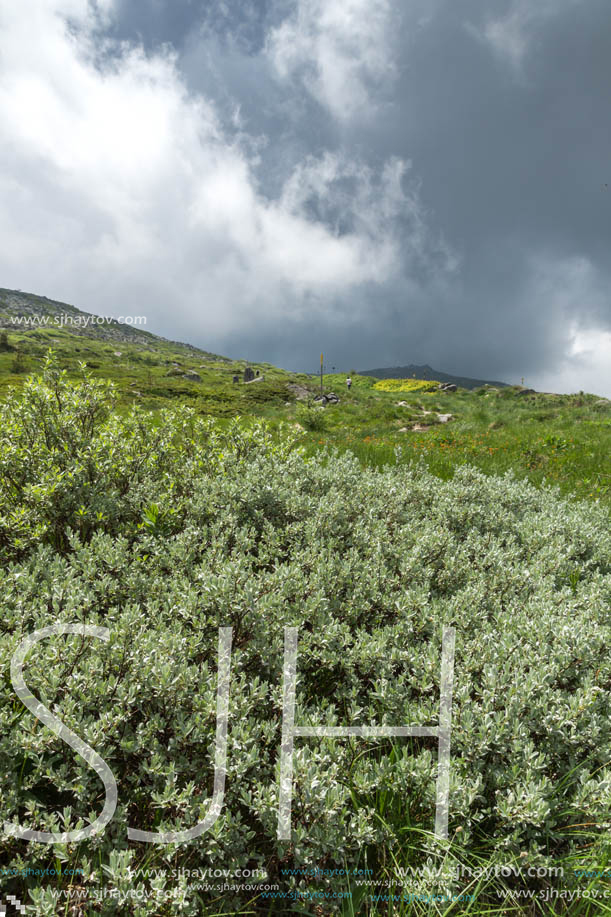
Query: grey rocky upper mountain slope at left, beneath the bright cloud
<point>37,315</point>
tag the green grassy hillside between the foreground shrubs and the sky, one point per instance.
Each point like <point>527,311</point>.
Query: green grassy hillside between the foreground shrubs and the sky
<point>562,439</point>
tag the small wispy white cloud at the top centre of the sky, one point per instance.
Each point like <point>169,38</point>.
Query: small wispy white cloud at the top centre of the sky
<point>341,49</point>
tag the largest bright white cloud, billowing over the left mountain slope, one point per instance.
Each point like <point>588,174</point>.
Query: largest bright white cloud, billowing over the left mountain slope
<point>118,187</point>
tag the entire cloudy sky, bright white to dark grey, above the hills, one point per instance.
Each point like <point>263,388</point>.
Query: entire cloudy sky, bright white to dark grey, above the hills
<point>390,181</point>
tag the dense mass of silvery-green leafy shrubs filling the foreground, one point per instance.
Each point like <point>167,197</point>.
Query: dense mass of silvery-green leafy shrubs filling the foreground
<point>162,533</point>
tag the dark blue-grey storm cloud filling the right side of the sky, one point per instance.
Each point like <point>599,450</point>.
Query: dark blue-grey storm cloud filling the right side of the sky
<point>512,157</point>
